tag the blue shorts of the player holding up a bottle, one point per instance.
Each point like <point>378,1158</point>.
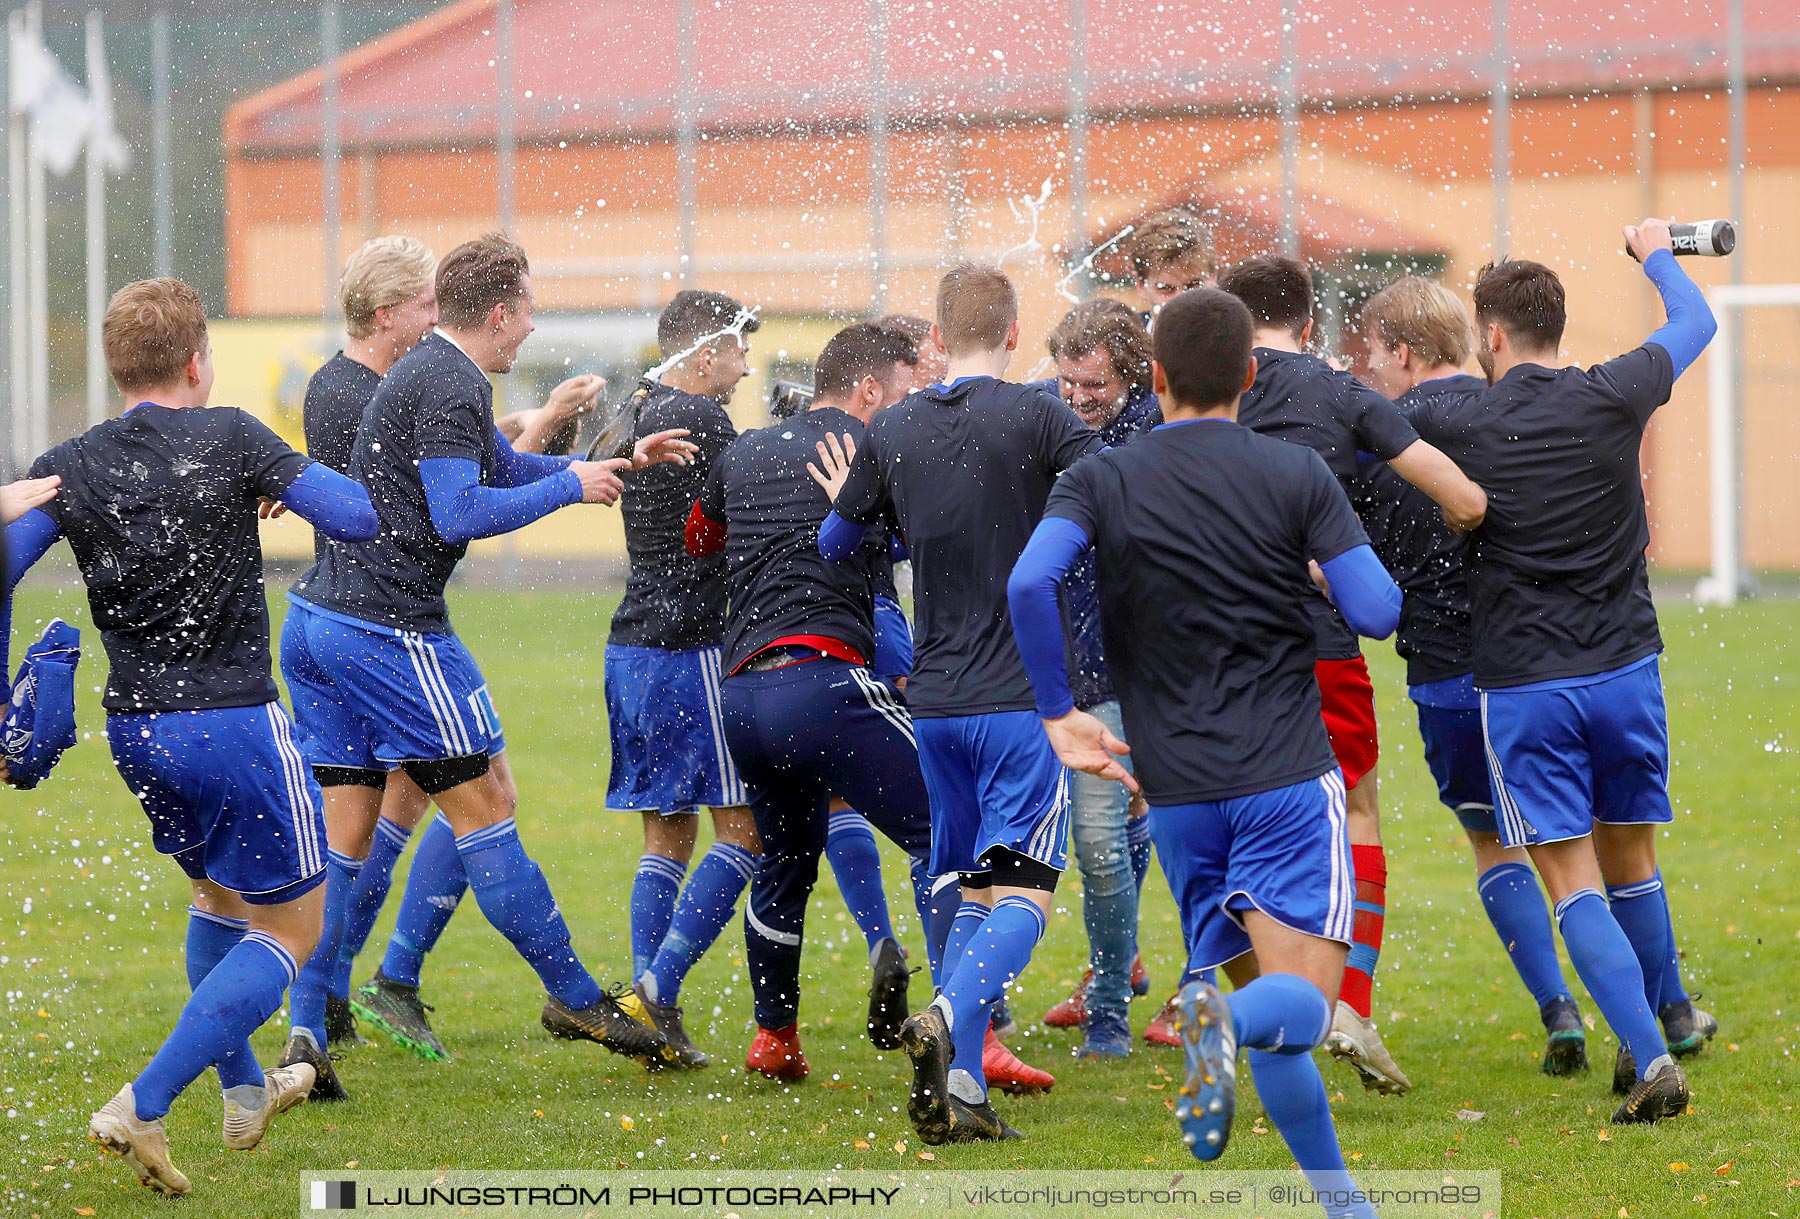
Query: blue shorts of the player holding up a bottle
<point>1567,757</point>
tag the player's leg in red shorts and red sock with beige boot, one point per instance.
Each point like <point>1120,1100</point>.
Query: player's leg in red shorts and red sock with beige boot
<point>1347,701</point>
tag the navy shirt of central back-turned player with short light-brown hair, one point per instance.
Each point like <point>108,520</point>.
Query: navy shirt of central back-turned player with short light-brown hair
<point>964,473</point>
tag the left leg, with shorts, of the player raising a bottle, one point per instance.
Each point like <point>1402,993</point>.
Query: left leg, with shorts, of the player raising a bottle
<point>1543,793</point>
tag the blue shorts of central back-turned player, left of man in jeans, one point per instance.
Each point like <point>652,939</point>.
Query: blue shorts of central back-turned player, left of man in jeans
<point>993,782</point>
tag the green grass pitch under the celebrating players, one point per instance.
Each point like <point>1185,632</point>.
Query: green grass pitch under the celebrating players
<point>91,964</point>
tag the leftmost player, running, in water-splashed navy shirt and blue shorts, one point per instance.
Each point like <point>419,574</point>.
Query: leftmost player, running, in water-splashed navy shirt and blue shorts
<point>161,510</point>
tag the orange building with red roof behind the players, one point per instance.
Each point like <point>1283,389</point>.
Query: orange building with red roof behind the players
<point>825,161</point>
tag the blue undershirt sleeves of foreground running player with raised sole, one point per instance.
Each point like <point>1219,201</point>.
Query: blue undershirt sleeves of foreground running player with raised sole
<point>1365,593</point>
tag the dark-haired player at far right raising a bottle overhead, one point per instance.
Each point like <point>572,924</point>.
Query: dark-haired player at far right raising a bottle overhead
<point>1567,640</point>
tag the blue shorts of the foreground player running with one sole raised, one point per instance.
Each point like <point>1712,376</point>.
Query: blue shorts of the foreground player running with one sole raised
<point>1284,853</point>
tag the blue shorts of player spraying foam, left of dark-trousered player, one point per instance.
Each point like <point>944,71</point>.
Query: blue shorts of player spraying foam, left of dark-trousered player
<point>669,732</point>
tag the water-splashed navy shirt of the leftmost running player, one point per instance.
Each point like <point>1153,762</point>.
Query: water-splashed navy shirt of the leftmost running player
<point>159,509</point>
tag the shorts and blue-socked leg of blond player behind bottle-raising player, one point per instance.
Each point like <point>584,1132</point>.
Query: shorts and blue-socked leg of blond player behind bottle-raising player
<point>1506,883</point>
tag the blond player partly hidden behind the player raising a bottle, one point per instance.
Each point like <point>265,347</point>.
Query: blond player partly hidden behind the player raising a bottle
<point>1417,345</point>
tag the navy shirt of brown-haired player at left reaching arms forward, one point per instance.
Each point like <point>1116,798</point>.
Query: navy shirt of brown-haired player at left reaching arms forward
<point>433,404</point>
